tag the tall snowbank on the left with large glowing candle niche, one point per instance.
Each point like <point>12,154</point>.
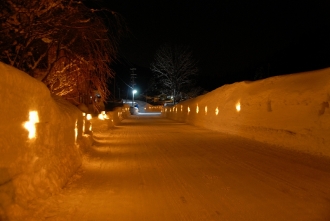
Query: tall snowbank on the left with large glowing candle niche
<point>39,136</point>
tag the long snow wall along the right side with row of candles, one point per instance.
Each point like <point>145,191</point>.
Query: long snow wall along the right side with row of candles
<point>291,111</point>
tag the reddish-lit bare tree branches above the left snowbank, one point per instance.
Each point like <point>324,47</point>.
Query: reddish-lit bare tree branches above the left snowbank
<point>61,42</point>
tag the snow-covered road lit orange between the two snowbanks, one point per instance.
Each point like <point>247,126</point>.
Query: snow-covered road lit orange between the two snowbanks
<point>151,168</point>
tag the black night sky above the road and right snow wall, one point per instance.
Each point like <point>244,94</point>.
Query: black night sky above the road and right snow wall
<point>231,39</point>
